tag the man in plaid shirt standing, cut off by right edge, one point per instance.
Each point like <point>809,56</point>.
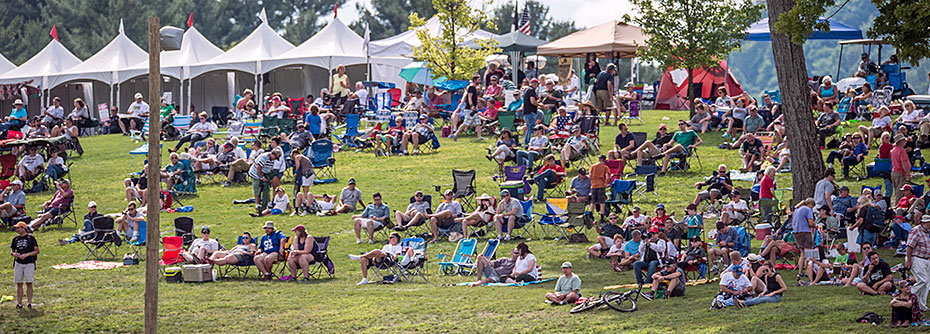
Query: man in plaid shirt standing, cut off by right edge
<point>918,259</point>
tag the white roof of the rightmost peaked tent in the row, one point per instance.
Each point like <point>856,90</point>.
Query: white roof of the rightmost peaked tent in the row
<point>333,45</point>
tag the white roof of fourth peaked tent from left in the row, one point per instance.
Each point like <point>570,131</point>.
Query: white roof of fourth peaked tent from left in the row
<point>262,44</point>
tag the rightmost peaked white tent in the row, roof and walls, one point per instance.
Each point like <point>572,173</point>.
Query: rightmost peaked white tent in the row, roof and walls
<point>336,44</point>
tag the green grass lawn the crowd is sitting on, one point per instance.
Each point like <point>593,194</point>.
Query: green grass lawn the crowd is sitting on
<point>111,301</point>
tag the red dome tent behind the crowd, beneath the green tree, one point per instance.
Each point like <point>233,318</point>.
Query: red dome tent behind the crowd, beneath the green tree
<point>673,88</point>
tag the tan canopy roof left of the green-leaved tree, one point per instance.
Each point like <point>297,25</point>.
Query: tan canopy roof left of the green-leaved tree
<point>610,38</point>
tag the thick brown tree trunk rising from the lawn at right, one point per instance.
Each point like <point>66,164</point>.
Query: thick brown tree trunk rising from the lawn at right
<point>806,160</point>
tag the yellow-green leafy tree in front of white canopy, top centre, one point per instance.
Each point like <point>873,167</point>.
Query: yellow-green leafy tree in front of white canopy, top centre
<point>444,53</point>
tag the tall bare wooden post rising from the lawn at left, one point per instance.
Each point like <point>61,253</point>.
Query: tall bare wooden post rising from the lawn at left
<point>153,208</point>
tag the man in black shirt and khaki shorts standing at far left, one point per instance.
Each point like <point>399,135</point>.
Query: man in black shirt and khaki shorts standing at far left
<point>24,251</point>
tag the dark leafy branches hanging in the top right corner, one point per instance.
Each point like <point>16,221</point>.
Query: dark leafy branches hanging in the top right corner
<point>903,23</point>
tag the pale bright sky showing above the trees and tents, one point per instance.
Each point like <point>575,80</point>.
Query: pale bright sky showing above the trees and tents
<point>585,13</point>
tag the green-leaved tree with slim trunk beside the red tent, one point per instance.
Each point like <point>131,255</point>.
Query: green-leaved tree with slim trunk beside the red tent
<point>692,33</point>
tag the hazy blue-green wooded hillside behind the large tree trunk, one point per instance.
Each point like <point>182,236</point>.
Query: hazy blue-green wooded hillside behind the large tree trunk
<point>754,65</point>
